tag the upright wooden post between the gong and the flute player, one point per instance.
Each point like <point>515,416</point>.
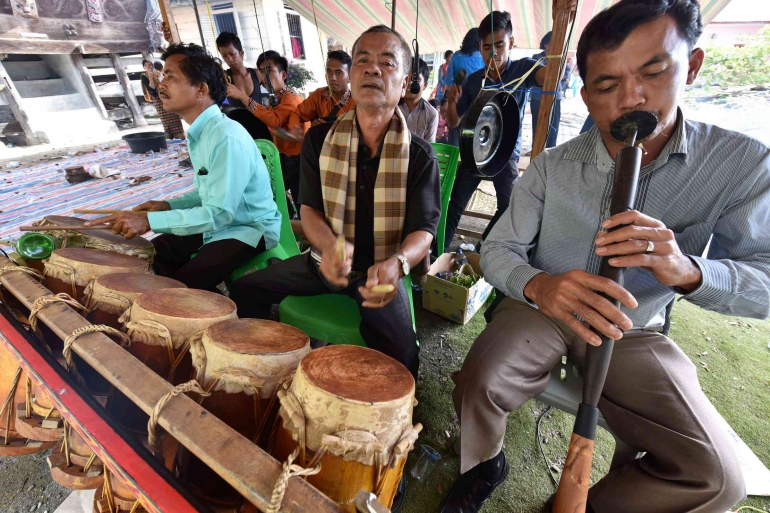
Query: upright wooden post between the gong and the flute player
<point>552,76</point>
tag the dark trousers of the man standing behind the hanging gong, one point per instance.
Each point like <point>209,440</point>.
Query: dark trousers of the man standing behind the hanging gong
<point>464,187</point>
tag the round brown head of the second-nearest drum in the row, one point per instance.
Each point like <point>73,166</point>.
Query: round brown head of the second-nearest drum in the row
<point>256,336</point>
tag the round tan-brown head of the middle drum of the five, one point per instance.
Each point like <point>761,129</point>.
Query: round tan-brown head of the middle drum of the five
<point>186,303</point>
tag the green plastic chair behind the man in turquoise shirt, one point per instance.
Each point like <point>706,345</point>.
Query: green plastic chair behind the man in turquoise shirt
<point>287,245</point>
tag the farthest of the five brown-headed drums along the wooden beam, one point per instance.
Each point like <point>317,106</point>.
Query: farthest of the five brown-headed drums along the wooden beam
<point>70,270</point>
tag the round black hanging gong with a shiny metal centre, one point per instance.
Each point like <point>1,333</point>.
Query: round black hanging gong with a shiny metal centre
<point>490,130</point>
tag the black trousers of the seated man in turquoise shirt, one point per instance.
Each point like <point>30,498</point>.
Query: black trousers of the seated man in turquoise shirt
<point>214,263</point>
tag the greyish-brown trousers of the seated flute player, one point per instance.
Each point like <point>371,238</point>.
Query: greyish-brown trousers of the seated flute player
<point>652,401</point>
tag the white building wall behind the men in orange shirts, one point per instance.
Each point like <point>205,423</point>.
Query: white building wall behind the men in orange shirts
<point>271,17</point>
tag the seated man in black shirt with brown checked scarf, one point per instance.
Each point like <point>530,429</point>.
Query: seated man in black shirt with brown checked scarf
<point>367,178</point>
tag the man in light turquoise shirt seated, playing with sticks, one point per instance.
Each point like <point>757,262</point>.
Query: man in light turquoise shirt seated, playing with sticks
<point>231,215</point>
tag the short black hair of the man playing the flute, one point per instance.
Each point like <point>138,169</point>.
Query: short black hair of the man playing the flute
<point>608,29</point>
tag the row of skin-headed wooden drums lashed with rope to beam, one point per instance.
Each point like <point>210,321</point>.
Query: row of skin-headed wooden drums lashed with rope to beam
<point>342,412</point>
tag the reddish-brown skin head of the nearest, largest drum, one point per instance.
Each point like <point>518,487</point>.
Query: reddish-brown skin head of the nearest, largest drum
<point>357,373</point>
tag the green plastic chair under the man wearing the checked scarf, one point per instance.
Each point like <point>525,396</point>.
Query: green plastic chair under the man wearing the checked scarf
<point>334,318</point>
